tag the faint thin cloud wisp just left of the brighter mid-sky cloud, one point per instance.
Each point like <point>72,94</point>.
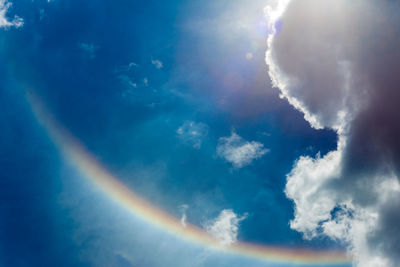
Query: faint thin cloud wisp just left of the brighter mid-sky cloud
<point>193,133</point>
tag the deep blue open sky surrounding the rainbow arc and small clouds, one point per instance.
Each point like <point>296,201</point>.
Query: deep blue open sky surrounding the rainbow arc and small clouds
<point>163,95</point>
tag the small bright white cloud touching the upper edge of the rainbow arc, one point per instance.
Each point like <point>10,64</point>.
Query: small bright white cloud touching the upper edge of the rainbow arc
<point>225,227</point>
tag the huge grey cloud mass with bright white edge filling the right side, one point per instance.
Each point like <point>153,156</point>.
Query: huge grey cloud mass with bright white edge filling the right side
<point>336,61</point>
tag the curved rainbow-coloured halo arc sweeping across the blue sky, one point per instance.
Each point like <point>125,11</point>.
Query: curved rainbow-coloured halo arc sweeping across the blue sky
<point>117,191</point>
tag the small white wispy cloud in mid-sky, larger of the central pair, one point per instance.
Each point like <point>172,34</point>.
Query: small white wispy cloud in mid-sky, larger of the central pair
<point>238,151</point>
